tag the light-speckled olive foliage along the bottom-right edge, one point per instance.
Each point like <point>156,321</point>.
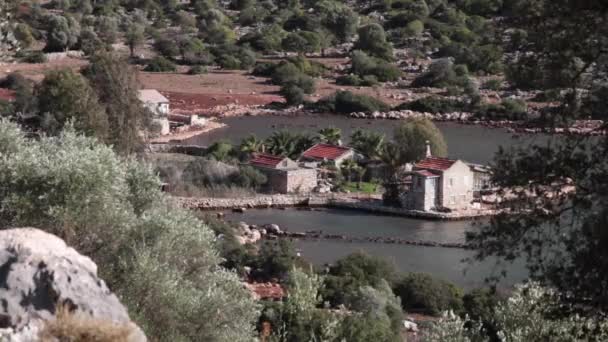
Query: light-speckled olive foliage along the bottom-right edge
<point>528,315</point>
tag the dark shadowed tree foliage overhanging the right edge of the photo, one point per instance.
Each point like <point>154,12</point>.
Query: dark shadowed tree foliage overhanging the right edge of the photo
<point>559,211</point>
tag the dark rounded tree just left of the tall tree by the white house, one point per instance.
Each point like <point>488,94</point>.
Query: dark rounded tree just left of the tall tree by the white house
<point>65,96</point>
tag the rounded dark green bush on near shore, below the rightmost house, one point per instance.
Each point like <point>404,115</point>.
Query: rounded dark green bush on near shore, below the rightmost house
<point>421,292</point>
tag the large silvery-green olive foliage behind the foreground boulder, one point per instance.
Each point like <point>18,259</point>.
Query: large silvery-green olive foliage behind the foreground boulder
<point>159,259</point>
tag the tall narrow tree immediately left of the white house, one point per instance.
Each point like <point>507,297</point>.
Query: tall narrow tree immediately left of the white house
<point>117,88</point>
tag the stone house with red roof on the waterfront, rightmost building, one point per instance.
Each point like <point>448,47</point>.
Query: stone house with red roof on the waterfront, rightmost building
<point>438,183</point>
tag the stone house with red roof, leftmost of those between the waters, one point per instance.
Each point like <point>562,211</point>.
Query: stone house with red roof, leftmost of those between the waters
<point>284,175</point>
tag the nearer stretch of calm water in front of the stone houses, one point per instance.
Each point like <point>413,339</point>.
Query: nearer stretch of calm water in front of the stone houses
<point>446,263</point>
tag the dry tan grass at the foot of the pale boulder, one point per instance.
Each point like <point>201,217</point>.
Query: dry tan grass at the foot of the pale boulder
<point>70,327</point>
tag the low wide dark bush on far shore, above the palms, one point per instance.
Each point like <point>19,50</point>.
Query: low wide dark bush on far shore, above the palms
<point>346,102</point>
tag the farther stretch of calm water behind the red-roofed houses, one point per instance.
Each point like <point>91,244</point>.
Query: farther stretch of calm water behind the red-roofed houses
<point>471,143</point>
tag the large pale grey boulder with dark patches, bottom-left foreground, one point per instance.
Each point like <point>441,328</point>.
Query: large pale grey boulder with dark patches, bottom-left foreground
<point>41,276</point>
